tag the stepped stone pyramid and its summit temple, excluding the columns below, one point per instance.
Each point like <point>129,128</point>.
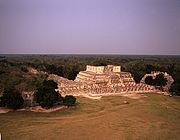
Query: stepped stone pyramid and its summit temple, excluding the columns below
<point>105,75</point>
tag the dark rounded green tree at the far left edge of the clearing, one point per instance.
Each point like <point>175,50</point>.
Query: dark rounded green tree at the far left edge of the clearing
<point>11,98</point>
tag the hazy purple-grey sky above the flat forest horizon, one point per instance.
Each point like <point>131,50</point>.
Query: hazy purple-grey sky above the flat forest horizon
<point>90,26</point>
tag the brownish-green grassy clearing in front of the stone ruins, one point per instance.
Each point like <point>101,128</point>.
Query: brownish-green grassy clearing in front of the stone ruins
<point>153,117</point>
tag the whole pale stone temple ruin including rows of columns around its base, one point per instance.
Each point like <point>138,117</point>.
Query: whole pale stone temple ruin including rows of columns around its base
<point>101,81</point>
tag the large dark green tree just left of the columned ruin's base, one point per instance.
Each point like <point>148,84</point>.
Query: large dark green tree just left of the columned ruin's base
<point>46,95</point>
